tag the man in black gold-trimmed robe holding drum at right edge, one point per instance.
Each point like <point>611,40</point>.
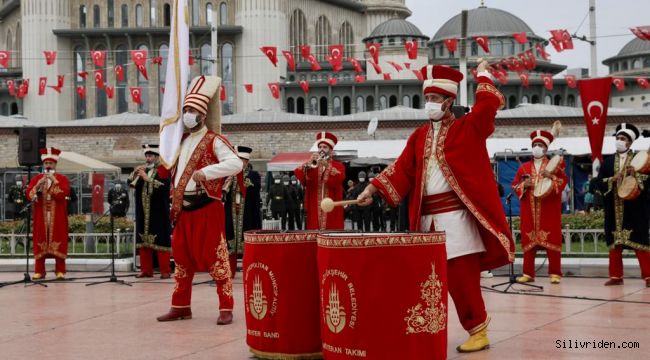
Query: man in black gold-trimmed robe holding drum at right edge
<point>626,221</point>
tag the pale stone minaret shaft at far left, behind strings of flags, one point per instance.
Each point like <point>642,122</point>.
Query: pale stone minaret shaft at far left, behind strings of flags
<point>40,17</point>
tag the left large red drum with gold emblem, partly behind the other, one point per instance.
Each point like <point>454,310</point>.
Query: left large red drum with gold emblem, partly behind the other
<point>281,295</point>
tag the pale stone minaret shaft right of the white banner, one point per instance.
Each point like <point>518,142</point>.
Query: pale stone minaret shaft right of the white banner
<point>265,23</point>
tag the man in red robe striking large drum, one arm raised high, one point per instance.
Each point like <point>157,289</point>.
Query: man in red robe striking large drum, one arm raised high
<point>445,168</point>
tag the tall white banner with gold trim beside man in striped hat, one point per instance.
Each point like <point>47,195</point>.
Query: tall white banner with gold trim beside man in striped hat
<point>177,78</point>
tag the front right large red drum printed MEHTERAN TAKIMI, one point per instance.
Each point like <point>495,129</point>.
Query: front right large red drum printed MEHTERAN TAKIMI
<point>383,296</point>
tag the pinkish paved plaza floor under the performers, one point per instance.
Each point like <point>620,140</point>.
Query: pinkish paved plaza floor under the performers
<point>68,320</point>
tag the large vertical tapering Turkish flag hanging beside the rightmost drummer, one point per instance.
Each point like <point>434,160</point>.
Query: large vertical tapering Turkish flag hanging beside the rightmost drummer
<point>594,95</point>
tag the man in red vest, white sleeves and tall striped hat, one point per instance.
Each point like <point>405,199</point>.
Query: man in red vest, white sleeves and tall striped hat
<point>205,160</point>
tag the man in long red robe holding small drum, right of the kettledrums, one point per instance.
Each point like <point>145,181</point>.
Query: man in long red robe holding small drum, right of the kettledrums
<point>540,192</point>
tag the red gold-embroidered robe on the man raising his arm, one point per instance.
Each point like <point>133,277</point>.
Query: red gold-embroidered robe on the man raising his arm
<point>464,161</point>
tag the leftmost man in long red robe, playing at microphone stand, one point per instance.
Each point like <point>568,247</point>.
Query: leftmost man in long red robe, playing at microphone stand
<point>48,192</point>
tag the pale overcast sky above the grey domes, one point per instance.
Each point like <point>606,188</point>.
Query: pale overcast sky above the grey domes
<point>613,17</point>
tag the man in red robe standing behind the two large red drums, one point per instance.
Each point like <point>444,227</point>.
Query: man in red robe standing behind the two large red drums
<point>323,180</point>
